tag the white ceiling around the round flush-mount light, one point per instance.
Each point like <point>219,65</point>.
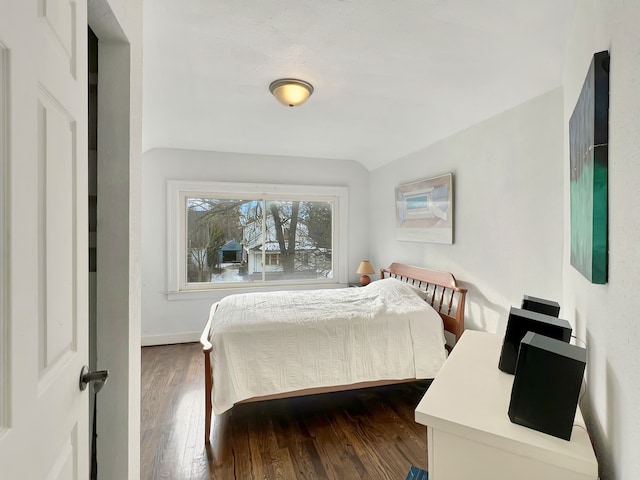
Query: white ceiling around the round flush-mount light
<point>390,76</point>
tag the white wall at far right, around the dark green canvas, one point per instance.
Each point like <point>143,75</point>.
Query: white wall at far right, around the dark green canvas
<point>607,315</point>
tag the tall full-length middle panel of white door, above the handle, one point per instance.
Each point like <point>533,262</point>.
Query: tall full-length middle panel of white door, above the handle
<point>56,155</point>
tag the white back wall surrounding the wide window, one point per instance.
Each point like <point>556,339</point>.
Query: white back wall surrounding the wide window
<point>167,321</point>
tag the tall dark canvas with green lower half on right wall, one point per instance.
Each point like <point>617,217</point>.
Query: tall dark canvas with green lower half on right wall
<point>588,142</point>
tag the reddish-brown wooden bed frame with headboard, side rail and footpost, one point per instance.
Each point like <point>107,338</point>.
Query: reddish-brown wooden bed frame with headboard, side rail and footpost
<point>442,293</point>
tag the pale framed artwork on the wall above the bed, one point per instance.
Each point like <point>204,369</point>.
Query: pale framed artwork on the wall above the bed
<point>424,210</point>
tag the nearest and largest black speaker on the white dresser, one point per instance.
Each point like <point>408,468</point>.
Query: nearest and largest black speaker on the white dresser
<point>547,385</point>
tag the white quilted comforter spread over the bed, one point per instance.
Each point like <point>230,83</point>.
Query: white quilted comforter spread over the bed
<point>275,342</point>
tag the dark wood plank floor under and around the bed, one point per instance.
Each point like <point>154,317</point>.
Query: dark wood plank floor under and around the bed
<point>349,435</point>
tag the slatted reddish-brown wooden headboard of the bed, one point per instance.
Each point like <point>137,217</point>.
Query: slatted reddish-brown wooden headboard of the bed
<point>443,293</point>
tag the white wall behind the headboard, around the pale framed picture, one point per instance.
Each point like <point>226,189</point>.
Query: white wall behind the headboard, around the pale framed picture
<point>508,176</point>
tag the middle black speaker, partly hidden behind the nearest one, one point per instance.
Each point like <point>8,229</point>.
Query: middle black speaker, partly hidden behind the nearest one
<point>522,321</point>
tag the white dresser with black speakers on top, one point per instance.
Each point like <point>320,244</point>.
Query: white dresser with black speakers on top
<point>470,436</point>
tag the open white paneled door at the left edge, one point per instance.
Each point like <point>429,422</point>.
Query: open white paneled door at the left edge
<point>44,432</point>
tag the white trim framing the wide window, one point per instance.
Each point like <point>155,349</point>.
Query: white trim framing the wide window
<point>178,190</point>
